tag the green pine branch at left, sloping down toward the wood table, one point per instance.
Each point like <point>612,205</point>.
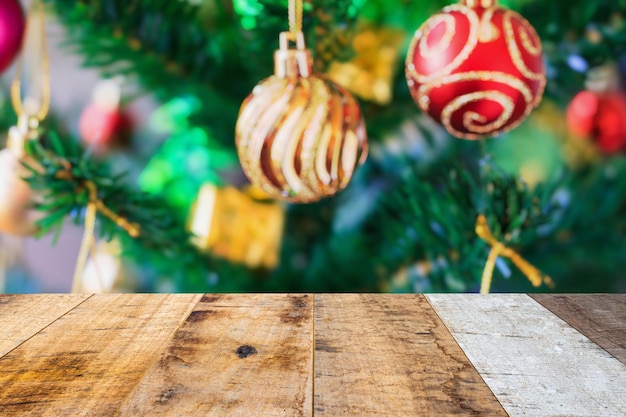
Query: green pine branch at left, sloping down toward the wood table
<point>61,176</point>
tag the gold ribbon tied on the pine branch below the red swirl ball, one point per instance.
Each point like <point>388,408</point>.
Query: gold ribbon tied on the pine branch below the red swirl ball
<point>498,248</point>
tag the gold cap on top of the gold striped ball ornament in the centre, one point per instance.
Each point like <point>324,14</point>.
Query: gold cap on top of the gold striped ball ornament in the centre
<point>289,62</point>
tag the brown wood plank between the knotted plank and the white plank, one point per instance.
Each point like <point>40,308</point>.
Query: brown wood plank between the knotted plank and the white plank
<point>390,355</point>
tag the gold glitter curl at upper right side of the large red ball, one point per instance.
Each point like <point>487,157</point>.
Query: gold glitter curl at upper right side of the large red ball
<point>513,46</point>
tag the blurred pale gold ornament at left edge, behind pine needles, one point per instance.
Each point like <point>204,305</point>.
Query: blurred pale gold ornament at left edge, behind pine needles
<point>17,215</point>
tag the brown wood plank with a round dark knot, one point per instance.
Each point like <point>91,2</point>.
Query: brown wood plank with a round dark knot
<point>236,355</point>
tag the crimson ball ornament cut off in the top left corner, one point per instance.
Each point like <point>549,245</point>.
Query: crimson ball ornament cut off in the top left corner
<point>12,24</point>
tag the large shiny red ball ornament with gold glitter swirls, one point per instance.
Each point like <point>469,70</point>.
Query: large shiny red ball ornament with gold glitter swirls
<point>476,68</point>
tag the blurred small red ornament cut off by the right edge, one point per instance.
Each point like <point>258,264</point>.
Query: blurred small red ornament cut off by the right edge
<point>601,117</point>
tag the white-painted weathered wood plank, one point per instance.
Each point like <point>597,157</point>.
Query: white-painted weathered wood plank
<point>534,362</point>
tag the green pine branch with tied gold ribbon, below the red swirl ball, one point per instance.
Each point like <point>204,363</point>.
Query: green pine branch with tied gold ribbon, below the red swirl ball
<point>432,221</point>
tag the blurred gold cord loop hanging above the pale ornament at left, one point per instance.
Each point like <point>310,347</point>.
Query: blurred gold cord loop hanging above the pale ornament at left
<point>35,11</point>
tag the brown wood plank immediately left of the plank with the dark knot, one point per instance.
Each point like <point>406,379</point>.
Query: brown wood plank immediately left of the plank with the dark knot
<point>88,361</point>
